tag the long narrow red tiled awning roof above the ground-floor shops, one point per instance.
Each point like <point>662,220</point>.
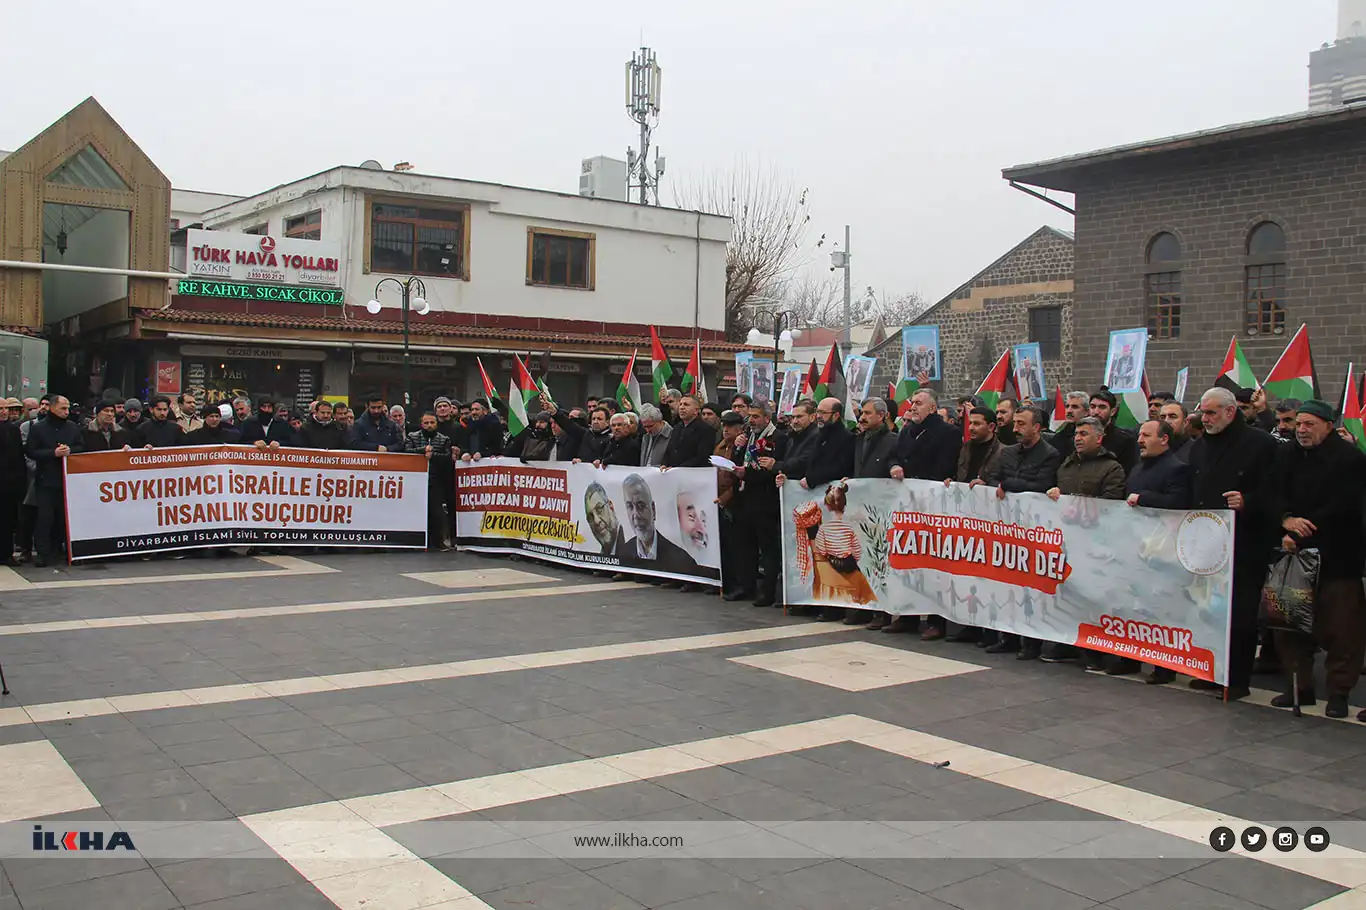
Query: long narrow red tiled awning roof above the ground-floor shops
<point>420,330</point>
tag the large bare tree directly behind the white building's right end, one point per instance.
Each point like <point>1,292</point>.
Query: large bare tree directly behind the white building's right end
<point>768,233</point>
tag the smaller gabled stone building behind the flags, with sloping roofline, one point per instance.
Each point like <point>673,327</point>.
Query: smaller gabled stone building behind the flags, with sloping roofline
<point>1025,296</point>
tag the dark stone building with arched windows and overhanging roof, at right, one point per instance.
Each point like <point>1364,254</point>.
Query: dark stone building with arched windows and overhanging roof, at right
<point>1246,230</point>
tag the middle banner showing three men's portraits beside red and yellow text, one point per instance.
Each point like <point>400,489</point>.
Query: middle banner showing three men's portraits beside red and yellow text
<point>640,521</point>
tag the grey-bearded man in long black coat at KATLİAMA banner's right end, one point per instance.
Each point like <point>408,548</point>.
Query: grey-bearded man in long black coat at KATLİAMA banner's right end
<point>1233,468</point>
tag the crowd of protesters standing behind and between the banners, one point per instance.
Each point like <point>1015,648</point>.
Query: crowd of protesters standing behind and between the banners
<point>1292,475</point>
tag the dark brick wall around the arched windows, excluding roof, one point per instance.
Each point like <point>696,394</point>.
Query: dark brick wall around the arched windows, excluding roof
<point>1313,185</point>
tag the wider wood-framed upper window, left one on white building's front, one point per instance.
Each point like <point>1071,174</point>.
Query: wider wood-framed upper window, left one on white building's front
<point>419,240</point>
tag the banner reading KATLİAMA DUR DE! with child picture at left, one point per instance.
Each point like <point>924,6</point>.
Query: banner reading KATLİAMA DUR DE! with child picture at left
<point>1147,584</point>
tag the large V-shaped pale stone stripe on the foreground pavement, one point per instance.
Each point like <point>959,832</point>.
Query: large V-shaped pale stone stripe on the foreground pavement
<point>391,878</point>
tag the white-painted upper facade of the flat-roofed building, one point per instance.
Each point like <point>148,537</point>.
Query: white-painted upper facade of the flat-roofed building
<point>647,266</point>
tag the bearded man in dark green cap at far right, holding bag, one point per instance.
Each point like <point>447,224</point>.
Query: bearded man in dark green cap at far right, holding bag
<point>1323,480</point>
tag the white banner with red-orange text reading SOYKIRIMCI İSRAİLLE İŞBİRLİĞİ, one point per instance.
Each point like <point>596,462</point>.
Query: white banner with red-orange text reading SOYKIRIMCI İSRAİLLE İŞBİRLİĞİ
<point>163,499</point>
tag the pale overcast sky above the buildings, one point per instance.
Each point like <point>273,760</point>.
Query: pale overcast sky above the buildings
<point>898,115</point>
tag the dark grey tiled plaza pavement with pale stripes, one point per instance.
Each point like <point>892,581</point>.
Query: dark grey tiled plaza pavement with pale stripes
<point>603,708</point>
